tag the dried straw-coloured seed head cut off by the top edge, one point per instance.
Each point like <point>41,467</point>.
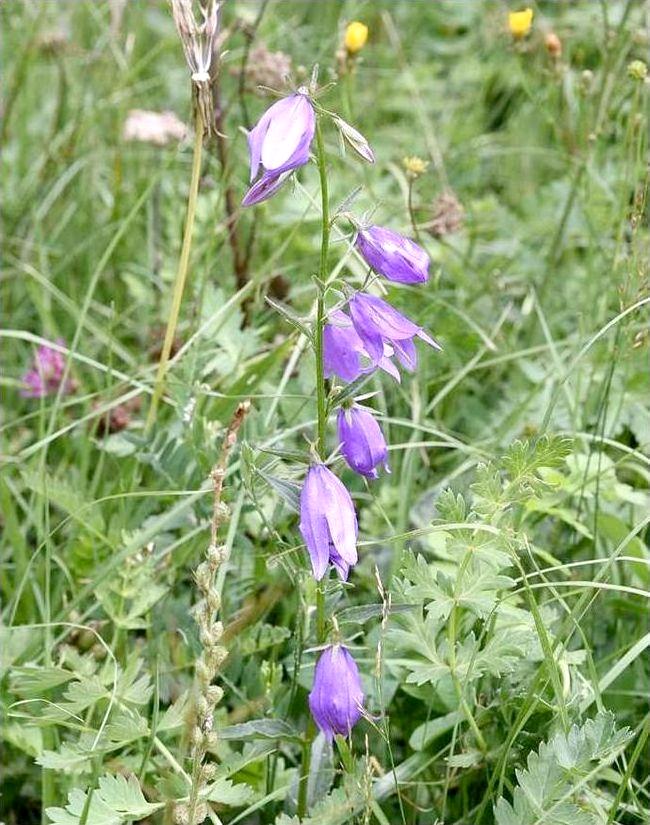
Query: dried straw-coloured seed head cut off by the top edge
<point>199,41</point>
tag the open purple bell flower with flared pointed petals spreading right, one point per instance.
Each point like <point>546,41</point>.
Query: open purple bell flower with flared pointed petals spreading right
<point>377,323</point>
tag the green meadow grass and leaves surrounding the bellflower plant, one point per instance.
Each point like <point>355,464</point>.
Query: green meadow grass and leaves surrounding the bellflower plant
<point>499,613</point>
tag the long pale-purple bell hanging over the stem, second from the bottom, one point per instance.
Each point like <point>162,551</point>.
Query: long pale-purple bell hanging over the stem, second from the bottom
<point>328,522</point>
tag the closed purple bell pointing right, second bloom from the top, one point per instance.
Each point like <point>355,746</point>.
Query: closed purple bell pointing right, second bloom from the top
<point>393,256</point>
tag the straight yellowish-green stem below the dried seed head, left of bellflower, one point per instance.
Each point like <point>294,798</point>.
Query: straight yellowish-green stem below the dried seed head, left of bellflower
<point>181,274</point>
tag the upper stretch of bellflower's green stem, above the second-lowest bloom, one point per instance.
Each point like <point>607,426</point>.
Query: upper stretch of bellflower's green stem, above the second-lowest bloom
<point>321,399</point>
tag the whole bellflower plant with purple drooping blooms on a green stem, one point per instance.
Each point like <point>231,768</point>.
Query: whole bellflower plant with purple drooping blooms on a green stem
<point>347,346</point>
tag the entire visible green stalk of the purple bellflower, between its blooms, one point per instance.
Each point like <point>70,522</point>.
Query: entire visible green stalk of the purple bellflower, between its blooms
<point>321,405</point>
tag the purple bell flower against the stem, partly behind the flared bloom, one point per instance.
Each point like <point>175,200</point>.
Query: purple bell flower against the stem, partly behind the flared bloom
<point>344,353</point>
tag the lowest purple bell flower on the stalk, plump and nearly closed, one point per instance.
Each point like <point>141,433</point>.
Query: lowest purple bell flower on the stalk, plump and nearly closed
<point>336,698</point>
